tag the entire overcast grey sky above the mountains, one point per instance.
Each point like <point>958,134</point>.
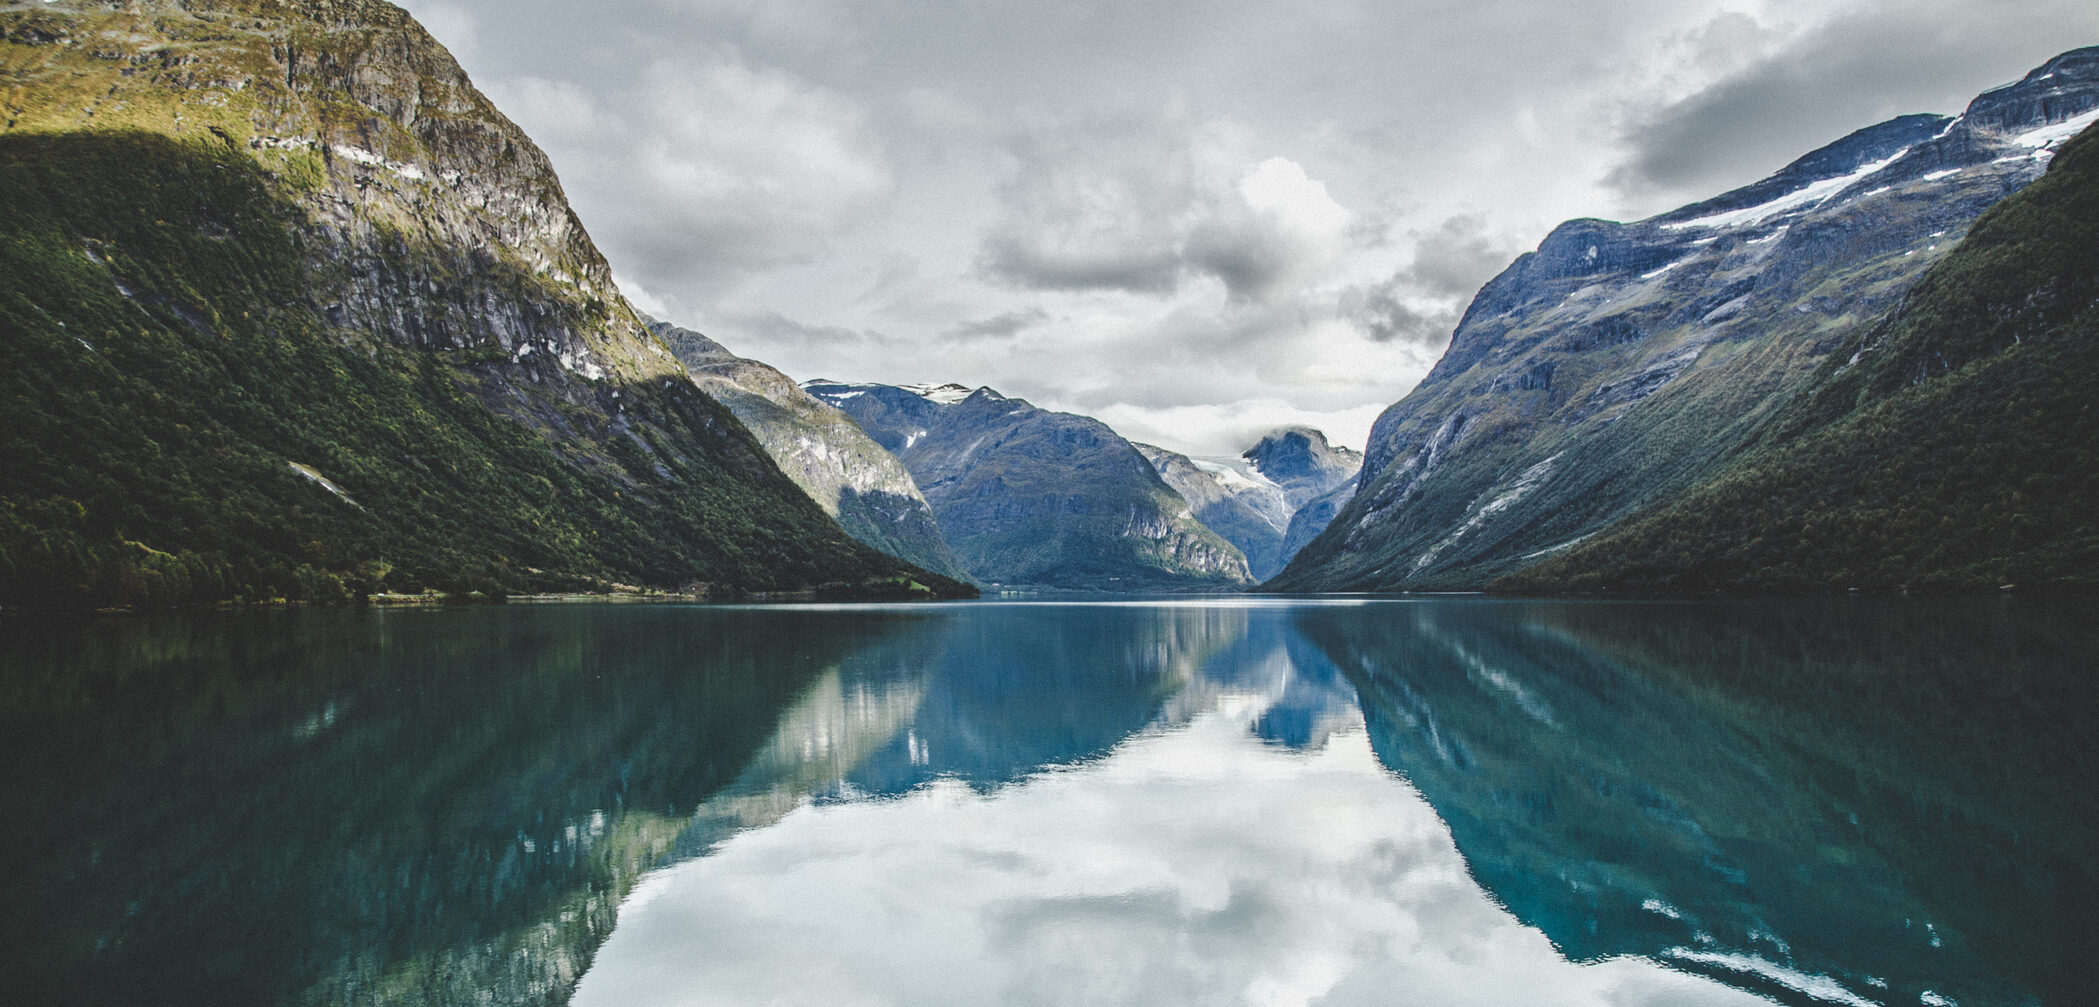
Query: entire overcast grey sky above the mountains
<point>1193,221</point>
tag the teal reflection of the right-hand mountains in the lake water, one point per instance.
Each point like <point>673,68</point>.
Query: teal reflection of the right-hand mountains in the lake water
<point>1819,805</point>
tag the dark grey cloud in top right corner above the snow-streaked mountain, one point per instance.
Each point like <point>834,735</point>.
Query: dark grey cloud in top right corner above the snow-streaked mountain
<point>1857,70</point>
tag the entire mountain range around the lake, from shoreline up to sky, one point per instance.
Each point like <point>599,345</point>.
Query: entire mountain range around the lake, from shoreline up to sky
<point>291,312</point>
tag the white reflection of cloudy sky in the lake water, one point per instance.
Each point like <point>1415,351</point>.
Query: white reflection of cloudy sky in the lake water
<point>1191,865</point>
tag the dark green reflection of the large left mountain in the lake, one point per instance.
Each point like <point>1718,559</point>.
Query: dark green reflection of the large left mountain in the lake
<point>368,809</point>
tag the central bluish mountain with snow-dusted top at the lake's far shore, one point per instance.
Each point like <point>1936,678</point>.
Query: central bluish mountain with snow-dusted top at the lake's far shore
<point>1030,496</point>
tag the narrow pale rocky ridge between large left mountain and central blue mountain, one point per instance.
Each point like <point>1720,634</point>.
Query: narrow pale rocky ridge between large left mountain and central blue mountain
<point>822,450</point>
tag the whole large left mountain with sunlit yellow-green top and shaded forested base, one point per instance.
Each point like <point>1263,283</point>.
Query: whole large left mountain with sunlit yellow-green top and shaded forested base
<point>291,312</point>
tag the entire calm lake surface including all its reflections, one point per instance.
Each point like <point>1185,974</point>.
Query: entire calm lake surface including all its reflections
<point>1269,802</point>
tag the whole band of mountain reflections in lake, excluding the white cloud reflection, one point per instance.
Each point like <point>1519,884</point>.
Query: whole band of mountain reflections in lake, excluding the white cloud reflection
<point>450,807</point>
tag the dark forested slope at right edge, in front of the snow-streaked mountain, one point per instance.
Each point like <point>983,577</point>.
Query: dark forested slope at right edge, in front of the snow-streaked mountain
<point>1953,446</point>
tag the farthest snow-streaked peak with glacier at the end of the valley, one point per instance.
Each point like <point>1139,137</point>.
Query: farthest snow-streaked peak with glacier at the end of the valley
<point>1258,500</point>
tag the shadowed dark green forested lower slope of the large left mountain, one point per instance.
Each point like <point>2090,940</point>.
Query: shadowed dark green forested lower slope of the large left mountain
<point>161,374</point>
